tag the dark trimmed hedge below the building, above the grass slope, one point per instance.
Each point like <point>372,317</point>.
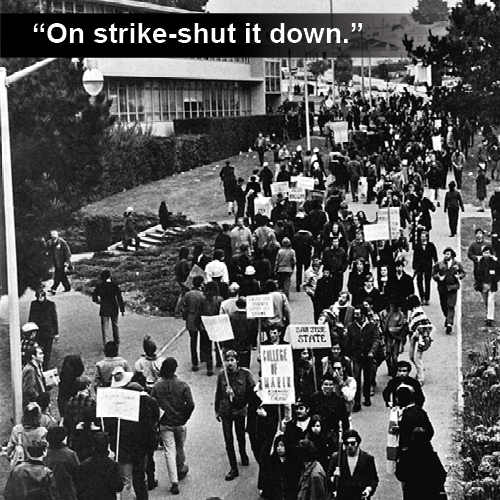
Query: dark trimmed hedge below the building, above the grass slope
<point>227,136</point>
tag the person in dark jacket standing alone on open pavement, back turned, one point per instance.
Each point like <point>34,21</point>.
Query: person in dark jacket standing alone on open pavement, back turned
<point>109,296</point>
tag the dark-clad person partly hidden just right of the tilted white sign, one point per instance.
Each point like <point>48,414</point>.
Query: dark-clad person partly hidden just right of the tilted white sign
<point>245,333</point>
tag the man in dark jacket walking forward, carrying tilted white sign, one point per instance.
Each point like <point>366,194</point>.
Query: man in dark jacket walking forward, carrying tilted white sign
<point>235,386</point>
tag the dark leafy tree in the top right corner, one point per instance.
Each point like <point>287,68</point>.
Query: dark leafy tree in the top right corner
<point>471,51</point>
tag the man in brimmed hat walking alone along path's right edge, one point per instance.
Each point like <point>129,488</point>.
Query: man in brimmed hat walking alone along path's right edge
<point>448,273</point>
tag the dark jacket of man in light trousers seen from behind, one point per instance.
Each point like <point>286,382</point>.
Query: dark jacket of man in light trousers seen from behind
<point>175,399</point>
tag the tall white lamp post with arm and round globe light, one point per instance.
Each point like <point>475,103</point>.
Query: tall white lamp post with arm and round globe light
<point>10,233</point>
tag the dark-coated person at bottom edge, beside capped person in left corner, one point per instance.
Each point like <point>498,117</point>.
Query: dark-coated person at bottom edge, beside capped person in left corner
<point>63,462</point>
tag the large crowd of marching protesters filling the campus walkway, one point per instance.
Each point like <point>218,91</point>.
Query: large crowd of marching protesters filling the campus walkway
<point>363,291</point>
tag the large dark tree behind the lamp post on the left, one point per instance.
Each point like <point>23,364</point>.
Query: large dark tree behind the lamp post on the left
<point>57,143</point>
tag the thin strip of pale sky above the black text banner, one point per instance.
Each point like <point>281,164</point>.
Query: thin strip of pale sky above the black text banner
<point>313,6</point>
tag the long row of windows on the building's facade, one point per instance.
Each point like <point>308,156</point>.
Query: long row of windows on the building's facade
<point>167,100</point>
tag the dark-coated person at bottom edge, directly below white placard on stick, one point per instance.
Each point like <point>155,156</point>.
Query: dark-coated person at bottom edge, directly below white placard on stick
<point>99,476</point>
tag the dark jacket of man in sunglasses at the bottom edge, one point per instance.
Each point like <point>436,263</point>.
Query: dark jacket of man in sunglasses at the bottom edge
<point>365,474</point>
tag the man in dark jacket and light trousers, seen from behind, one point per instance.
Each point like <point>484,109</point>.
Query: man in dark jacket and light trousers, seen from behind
<point>175,399</point>
